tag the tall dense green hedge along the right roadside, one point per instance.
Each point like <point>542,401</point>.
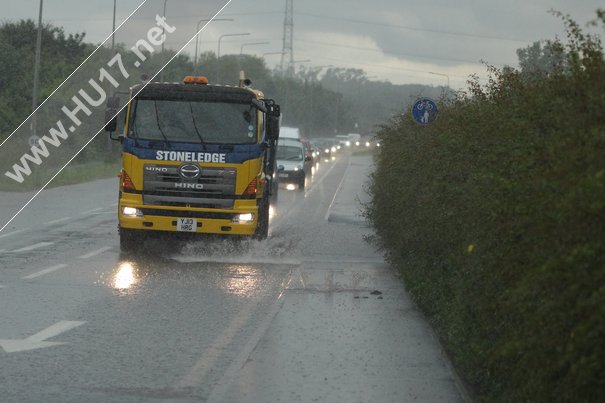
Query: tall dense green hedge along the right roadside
<point>495,216</point>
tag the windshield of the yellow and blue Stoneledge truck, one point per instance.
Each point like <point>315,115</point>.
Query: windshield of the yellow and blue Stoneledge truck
<point>193,122</point>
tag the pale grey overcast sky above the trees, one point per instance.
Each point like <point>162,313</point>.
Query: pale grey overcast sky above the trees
<point>396,40</point>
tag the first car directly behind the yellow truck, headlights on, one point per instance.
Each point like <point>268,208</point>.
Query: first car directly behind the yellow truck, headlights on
<point>292,164</point>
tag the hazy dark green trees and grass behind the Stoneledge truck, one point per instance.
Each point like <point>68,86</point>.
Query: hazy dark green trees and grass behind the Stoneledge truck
<point>320,102</point>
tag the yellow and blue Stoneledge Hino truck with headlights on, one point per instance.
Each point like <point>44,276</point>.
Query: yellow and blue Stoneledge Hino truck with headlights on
<point>196,158</point>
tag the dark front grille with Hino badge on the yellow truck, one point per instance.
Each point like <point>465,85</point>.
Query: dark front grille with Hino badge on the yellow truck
<point>166,186</point>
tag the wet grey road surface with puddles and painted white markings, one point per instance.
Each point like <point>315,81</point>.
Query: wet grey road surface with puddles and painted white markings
<point>311,314</point>
